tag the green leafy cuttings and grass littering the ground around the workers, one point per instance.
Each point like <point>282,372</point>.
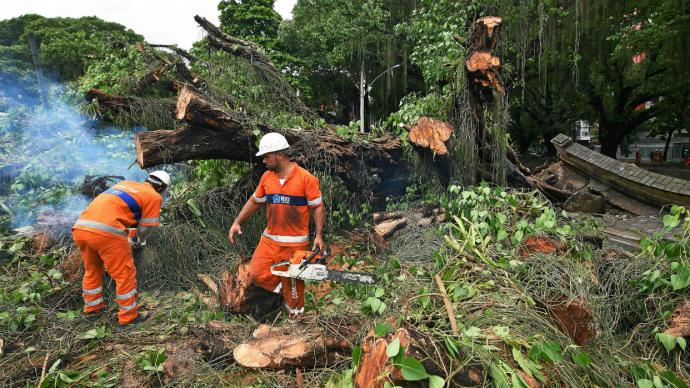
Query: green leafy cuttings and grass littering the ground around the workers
<point>499,297</point>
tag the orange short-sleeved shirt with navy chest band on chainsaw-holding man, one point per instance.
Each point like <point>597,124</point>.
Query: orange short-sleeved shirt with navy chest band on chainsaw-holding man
<point>287,205</point>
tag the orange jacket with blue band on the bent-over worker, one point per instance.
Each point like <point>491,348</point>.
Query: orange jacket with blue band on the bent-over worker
<point>125,205</point>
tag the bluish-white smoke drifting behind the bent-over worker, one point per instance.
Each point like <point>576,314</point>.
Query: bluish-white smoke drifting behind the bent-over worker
<point>47,152</point>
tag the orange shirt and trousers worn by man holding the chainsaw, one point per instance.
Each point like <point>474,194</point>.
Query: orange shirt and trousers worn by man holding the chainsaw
<point>287,231</point>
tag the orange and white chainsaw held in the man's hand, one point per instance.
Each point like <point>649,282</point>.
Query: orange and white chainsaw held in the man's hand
<point>306,265</point>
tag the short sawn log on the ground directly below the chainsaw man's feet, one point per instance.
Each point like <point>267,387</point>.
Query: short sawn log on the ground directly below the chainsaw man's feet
<point>303,345</point>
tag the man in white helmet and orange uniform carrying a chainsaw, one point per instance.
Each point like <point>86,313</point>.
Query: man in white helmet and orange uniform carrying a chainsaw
<point>289,193</point>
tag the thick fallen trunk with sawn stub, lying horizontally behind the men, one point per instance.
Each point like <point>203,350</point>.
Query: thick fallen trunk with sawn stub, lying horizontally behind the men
<point>216,134</point>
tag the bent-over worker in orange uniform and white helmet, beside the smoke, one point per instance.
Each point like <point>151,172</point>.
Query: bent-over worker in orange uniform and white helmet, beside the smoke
<point>101,233</point>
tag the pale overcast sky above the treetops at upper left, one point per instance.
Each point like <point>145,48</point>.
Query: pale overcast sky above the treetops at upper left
<point>159,21</point>
